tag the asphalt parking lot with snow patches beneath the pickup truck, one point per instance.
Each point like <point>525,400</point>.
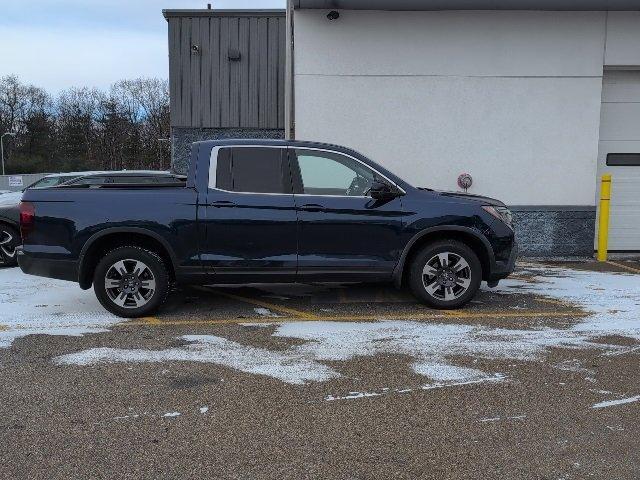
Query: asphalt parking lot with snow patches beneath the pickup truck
<point>536,379</point>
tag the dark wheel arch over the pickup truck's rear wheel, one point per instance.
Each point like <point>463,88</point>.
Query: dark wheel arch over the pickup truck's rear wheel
<point>101,242</point>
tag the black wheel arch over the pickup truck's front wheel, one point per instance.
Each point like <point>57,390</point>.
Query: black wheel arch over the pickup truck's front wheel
<point>475,240</point>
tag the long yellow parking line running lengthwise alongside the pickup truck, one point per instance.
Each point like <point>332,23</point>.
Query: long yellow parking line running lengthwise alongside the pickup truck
<point>358,318</point>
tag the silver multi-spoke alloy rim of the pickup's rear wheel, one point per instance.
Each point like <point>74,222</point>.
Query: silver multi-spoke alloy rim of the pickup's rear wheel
<point>130,283</point>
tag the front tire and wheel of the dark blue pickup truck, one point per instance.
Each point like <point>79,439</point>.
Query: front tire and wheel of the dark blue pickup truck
<point>458,287</point>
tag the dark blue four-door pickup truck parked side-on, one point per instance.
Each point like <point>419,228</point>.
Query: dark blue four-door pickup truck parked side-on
<point>257,211</point>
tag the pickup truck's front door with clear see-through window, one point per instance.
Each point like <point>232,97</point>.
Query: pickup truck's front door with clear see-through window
<point>343,233</point>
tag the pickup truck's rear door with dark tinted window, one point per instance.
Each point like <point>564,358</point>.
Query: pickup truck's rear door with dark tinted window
<point>251,231</point>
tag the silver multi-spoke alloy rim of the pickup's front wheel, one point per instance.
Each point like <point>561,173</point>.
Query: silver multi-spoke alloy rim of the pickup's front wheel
<point>446,276</point>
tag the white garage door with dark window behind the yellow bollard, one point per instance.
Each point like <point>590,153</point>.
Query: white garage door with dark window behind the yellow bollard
<point>619,155</point>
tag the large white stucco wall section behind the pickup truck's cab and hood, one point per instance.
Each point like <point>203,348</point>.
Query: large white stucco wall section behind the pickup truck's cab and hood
<point>511,97</point>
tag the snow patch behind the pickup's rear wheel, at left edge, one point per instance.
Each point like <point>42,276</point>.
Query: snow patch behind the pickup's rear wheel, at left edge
<point>36,305</point>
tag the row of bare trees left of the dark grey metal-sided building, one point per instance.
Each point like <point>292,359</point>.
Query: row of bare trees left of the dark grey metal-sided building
<point>86,128</point>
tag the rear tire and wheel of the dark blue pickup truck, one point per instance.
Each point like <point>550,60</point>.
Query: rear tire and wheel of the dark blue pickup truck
<point>155,272</point>
